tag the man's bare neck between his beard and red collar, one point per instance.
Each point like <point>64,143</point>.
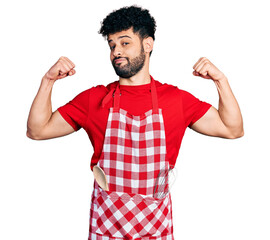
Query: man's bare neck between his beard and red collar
<point>142,77</point>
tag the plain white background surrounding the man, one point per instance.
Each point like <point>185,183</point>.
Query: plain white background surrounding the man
<point>222,188</point>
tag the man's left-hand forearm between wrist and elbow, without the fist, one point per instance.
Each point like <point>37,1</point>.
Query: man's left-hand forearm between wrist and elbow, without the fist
<point>41,109</point>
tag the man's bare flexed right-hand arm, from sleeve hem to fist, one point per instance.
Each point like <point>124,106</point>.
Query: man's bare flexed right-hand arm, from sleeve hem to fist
<point>227,121</point>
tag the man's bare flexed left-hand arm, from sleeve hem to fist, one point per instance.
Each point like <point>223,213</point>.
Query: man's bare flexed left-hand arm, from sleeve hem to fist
<point>42,123</point>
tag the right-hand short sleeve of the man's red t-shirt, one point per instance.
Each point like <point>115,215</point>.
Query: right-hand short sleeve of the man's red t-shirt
<point>193,108</point>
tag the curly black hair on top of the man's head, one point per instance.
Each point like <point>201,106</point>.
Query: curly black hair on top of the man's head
<point>124,18</point>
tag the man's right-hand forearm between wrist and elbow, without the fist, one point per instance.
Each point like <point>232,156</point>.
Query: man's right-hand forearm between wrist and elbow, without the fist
<point>228,109</point>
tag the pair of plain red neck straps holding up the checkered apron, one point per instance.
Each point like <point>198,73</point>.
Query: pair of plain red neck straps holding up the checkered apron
<point>117,94</point>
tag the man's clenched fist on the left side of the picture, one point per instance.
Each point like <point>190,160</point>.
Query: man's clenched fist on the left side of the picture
<point>62,68</point>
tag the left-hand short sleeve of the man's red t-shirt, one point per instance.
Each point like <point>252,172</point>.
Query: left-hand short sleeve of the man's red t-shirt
<point>75,112</point>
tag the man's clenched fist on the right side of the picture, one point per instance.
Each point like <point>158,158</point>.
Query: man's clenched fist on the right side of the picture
<point>205,69</point>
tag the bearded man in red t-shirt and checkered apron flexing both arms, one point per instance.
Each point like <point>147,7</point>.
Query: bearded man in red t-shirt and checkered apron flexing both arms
<point>136,126</point>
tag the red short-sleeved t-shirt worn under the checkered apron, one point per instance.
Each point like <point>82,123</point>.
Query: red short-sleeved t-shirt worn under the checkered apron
<point>180,110</point>
